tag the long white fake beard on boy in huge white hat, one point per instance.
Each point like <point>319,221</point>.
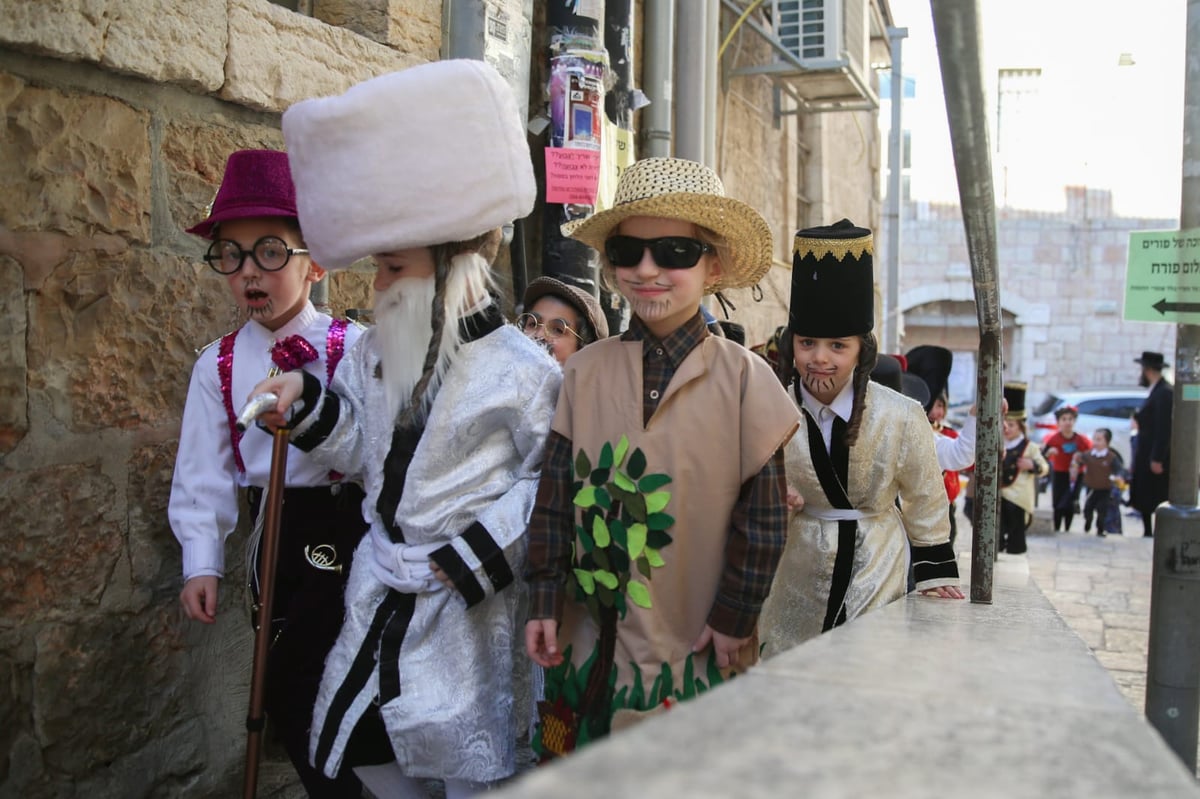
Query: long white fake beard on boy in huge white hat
<point>404,317</point>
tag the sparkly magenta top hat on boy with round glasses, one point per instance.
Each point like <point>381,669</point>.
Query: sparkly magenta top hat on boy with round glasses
<point>257,183</point>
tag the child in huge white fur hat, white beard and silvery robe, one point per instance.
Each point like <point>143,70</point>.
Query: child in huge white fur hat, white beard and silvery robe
<point>443,408</point>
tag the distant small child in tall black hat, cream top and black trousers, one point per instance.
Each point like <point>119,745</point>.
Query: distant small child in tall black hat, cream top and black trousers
<point>1022,466</point>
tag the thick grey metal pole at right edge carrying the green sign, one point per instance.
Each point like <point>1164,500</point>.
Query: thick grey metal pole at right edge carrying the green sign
<point>1173,668</point>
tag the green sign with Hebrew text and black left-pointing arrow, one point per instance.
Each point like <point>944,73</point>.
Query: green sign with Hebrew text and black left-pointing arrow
<point>1163,277</point>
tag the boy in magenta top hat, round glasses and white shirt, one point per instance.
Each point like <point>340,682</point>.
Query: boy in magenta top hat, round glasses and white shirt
<point>257,248</point>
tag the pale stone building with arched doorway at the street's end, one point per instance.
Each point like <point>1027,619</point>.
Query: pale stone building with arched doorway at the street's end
<point>1061,291</point>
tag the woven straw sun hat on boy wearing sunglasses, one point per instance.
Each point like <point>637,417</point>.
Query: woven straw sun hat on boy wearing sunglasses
<point>677,189</point>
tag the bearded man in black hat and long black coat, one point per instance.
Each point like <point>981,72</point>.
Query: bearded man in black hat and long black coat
<point>1153,459</point>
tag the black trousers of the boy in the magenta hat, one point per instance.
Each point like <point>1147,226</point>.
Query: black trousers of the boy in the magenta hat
<point>320,530</point>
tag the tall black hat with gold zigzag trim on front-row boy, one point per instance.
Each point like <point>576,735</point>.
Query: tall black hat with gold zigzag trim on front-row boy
<point>833,283</point>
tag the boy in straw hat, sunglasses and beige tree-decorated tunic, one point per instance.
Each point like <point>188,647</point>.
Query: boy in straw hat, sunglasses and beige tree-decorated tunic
<point>662,510</point>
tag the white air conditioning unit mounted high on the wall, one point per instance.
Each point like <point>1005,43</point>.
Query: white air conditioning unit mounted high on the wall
<point>830,41</point>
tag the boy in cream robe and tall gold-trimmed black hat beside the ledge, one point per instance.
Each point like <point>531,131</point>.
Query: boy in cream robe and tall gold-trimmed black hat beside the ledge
<point>861,448</point>
